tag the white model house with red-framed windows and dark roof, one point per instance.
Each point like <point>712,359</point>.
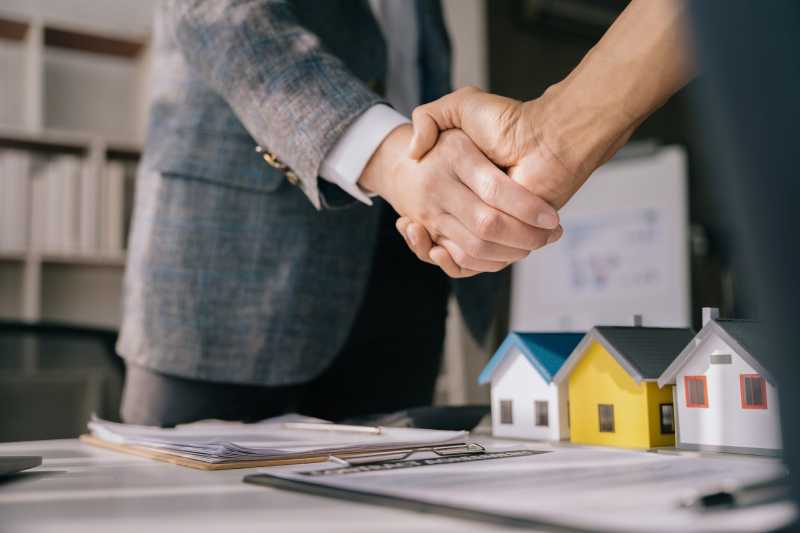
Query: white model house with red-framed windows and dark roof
<point>726,399</point>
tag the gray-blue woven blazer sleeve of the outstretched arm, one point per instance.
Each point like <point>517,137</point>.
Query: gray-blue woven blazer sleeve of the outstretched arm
<point>294,97</point>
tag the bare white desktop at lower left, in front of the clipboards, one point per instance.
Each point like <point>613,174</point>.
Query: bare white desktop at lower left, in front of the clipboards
<point>81,489</point>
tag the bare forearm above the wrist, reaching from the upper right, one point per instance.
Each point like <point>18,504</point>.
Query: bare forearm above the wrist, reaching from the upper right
<point>638,64</point>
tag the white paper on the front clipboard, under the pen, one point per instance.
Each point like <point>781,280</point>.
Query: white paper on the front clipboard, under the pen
<point>575,488</point>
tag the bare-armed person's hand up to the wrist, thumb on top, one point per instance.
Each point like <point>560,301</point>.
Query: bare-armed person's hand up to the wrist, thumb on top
<point>543,149</point>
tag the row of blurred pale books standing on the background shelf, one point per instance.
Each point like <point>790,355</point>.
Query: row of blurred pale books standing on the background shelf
<point>63,204</point>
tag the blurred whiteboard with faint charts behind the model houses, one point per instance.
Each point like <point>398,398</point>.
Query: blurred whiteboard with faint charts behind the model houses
<point>625,251</point>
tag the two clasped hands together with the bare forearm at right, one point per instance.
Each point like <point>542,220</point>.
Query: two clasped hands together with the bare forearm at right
<point>486,191</point>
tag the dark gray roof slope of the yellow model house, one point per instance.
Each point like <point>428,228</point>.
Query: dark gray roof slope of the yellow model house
<point>648,350</point>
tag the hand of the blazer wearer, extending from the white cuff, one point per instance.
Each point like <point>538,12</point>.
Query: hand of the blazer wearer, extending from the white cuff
<point>476,212</point>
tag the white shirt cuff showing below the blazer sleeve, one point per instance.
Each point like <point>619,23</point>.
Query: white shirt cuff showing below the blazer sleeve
<point>346,161</point>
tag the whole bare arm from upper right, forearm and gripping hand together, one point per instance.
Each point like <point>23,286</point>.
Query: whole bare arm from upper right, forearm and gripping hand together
<point>552,144</point>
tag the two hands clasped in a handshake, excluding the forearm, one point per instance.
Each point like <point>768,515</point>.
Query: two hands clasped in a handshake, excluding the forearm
<point>479,178</point>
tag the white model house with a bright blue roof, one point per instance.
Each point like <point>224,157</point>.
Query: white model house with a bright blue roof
<point>525,401</point>
